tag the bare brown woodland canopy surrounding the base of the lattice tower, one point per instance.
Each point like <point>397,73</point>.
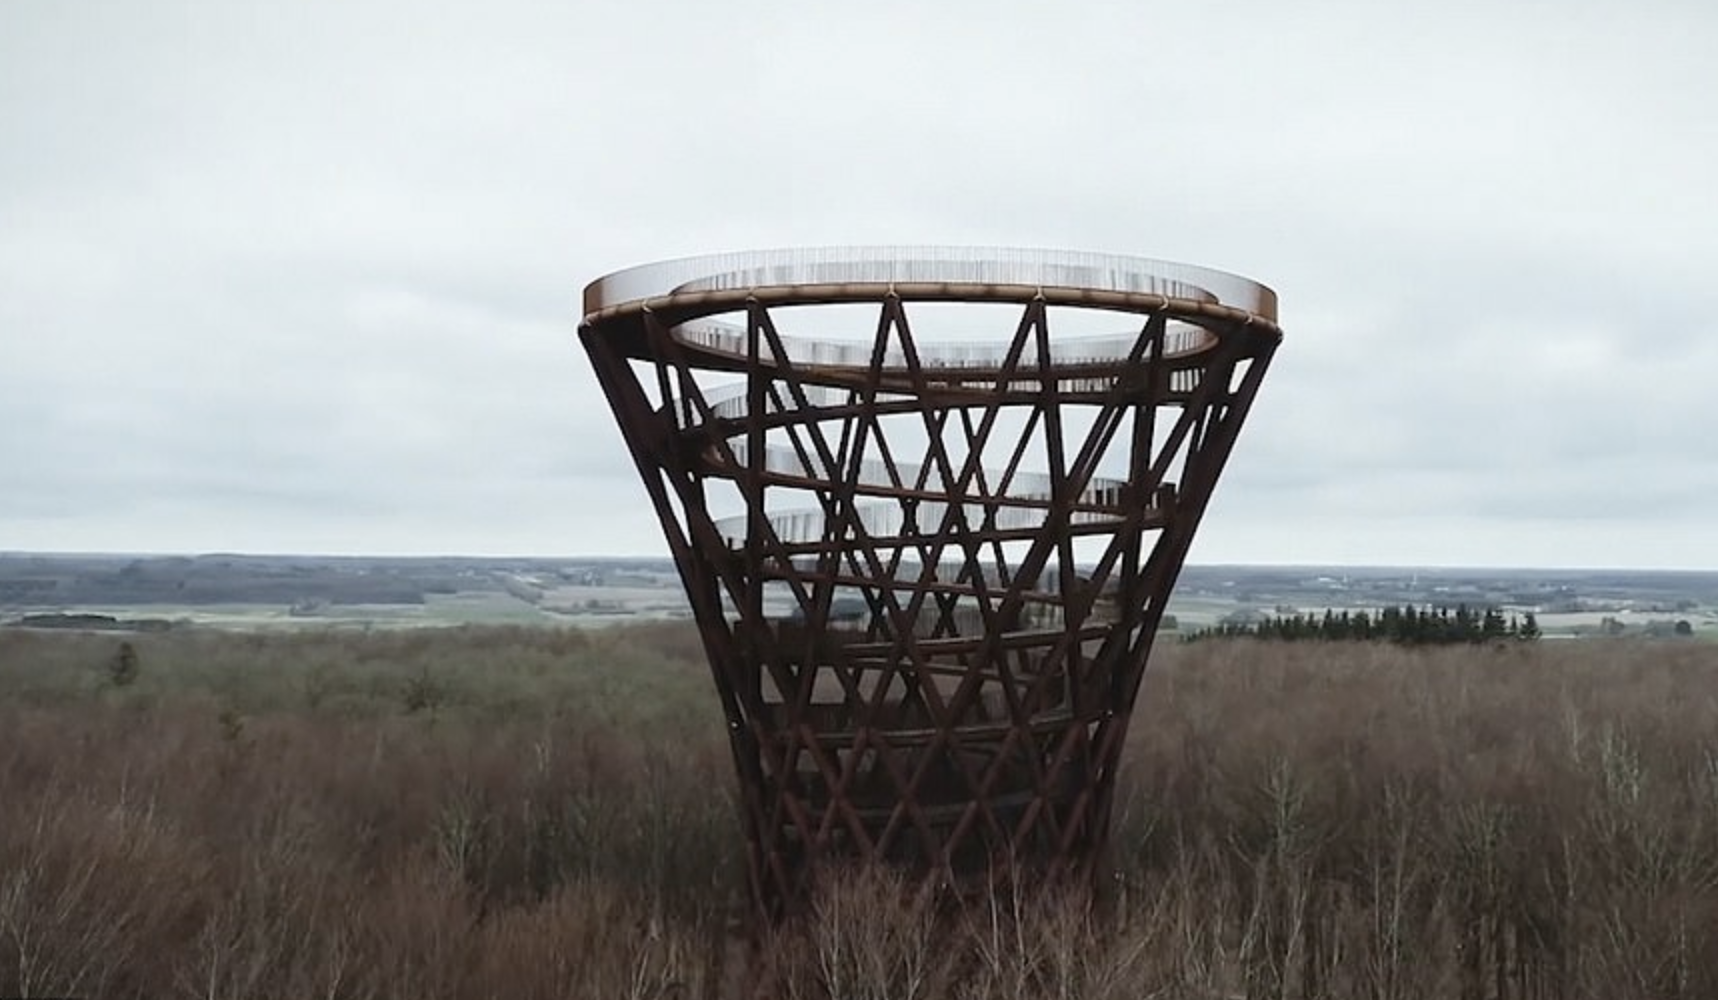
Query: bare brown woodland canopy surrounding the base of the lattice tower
<point>545,814</point>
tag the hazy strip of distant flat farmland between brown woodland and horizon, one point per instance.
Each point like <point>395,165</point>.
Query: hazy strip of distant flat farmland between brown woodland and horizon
<point>238,592</point>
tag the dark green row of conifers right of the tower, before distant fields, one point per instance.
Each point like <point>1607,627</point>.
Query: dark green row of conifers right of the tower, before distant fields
<point>1406,626</point>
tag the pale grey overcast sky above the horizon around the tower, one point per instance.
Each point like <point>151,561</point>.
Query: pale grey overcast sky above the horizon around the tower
<point>305,277</point>
